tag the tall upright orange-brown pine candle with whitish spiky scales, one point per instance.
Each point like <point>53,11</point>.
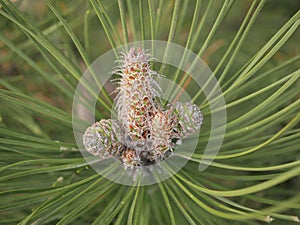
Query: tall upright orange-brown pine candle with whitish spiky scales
<point>135,100</point>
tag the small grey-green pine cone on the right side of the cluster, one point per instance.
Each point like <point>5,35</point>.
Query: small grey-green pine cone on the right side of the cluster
<point>189,116</point>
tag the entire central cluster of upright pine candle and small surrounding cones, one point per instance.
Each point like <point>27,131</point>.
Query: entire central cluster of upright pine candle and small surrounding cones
<point>145,131</point>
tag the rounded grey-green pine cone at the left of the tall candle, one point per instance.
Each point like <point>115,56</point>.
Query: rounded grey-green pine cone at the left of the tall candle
<point>101,140</point>
